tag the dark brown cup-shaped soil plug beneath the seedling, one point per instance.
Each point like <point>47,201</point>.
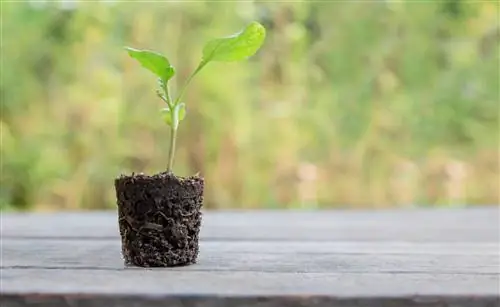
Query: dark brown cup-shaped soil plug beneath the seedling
<point>159,219</point>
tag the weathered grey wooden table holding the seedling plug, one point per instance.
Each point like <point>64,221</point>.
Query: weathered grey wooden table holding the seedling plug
<point>442,257</point>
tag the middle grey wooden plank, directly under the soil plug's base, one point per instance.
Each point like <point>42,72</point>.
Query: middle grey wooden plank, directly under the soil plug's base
<point>261,257</point>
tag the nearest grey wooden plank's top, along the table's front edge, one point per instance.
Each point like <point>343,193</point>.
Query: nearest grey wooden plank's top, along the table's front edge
<point>163,282</point>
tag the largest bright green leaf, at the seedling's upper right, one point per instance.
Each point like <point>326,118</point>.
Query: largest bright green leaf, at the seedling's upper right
<point>236,47</point>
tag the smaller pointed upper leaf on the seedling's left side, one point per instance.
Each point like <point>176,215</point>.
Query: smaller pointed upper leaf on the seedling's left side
<point>154,62</point>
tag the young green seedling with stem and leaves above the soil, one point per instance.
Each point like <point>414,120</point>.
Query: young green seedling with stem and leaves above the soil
<point>236,47</point>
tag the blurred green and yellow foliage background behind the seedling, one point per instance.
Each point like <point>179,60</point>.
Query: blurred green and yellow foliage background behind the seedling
<point>352,104</point>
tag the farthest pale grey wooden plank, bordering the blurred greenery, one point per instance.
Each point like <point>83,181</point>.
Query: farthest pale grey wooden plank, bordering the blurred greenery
<point>450,225</point>
